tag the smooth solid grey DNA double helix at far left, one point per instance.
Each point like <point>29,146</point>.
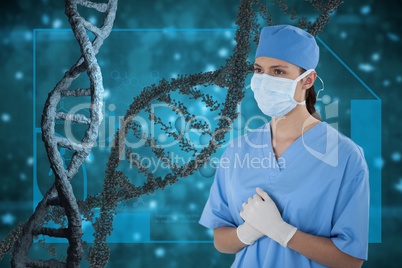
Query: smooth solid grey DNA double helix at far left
<point>61,193</point>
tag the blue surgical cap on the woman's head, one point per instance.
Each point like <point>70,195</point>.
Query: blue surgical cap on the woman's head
<point>289,43</point>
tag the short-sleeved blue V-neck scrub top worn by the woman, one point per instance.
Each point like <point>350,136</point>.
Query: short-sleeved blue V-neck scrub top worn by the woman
<point>319,184</point>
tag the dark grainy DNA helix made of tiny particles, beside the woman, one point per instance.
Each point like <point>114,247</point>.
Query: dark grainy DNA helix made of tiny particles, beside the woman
<point>117,186</point>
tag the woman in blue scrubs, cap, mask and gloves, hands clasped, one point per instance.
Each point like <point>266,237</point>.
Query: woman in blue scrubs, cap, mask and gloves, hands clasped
<point>294,192</point>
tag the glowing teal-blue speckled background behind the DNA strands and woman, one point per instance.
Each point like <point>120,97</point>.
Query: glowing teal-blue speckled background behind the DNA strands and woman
<point>37,48</point>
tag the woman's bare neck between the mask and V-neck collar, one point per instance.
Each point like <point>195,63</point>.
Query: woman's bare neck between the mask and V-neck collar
<point>291,126</point>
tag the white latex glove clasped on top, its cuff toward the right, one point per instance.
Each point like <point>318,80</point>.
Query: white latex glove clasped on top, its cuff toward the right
<point>261,213</point>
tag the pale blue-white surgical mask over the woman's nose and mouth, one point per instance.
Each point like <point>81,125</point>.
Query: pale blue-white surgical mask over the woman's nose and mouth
<point>274,95</point>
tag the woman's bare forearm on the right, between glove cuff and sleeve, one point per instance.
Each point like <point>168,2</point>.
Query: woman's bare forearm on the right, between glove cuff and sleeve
<point>322,250</point>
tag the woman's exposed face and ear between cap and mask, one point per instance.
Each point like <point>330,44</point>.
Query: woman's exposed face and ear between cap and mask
<point>284,69</point>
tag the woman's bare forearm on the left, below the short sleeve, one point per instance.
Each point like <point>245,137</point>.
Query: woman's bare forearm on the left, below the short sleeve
<point>226,240</point>
